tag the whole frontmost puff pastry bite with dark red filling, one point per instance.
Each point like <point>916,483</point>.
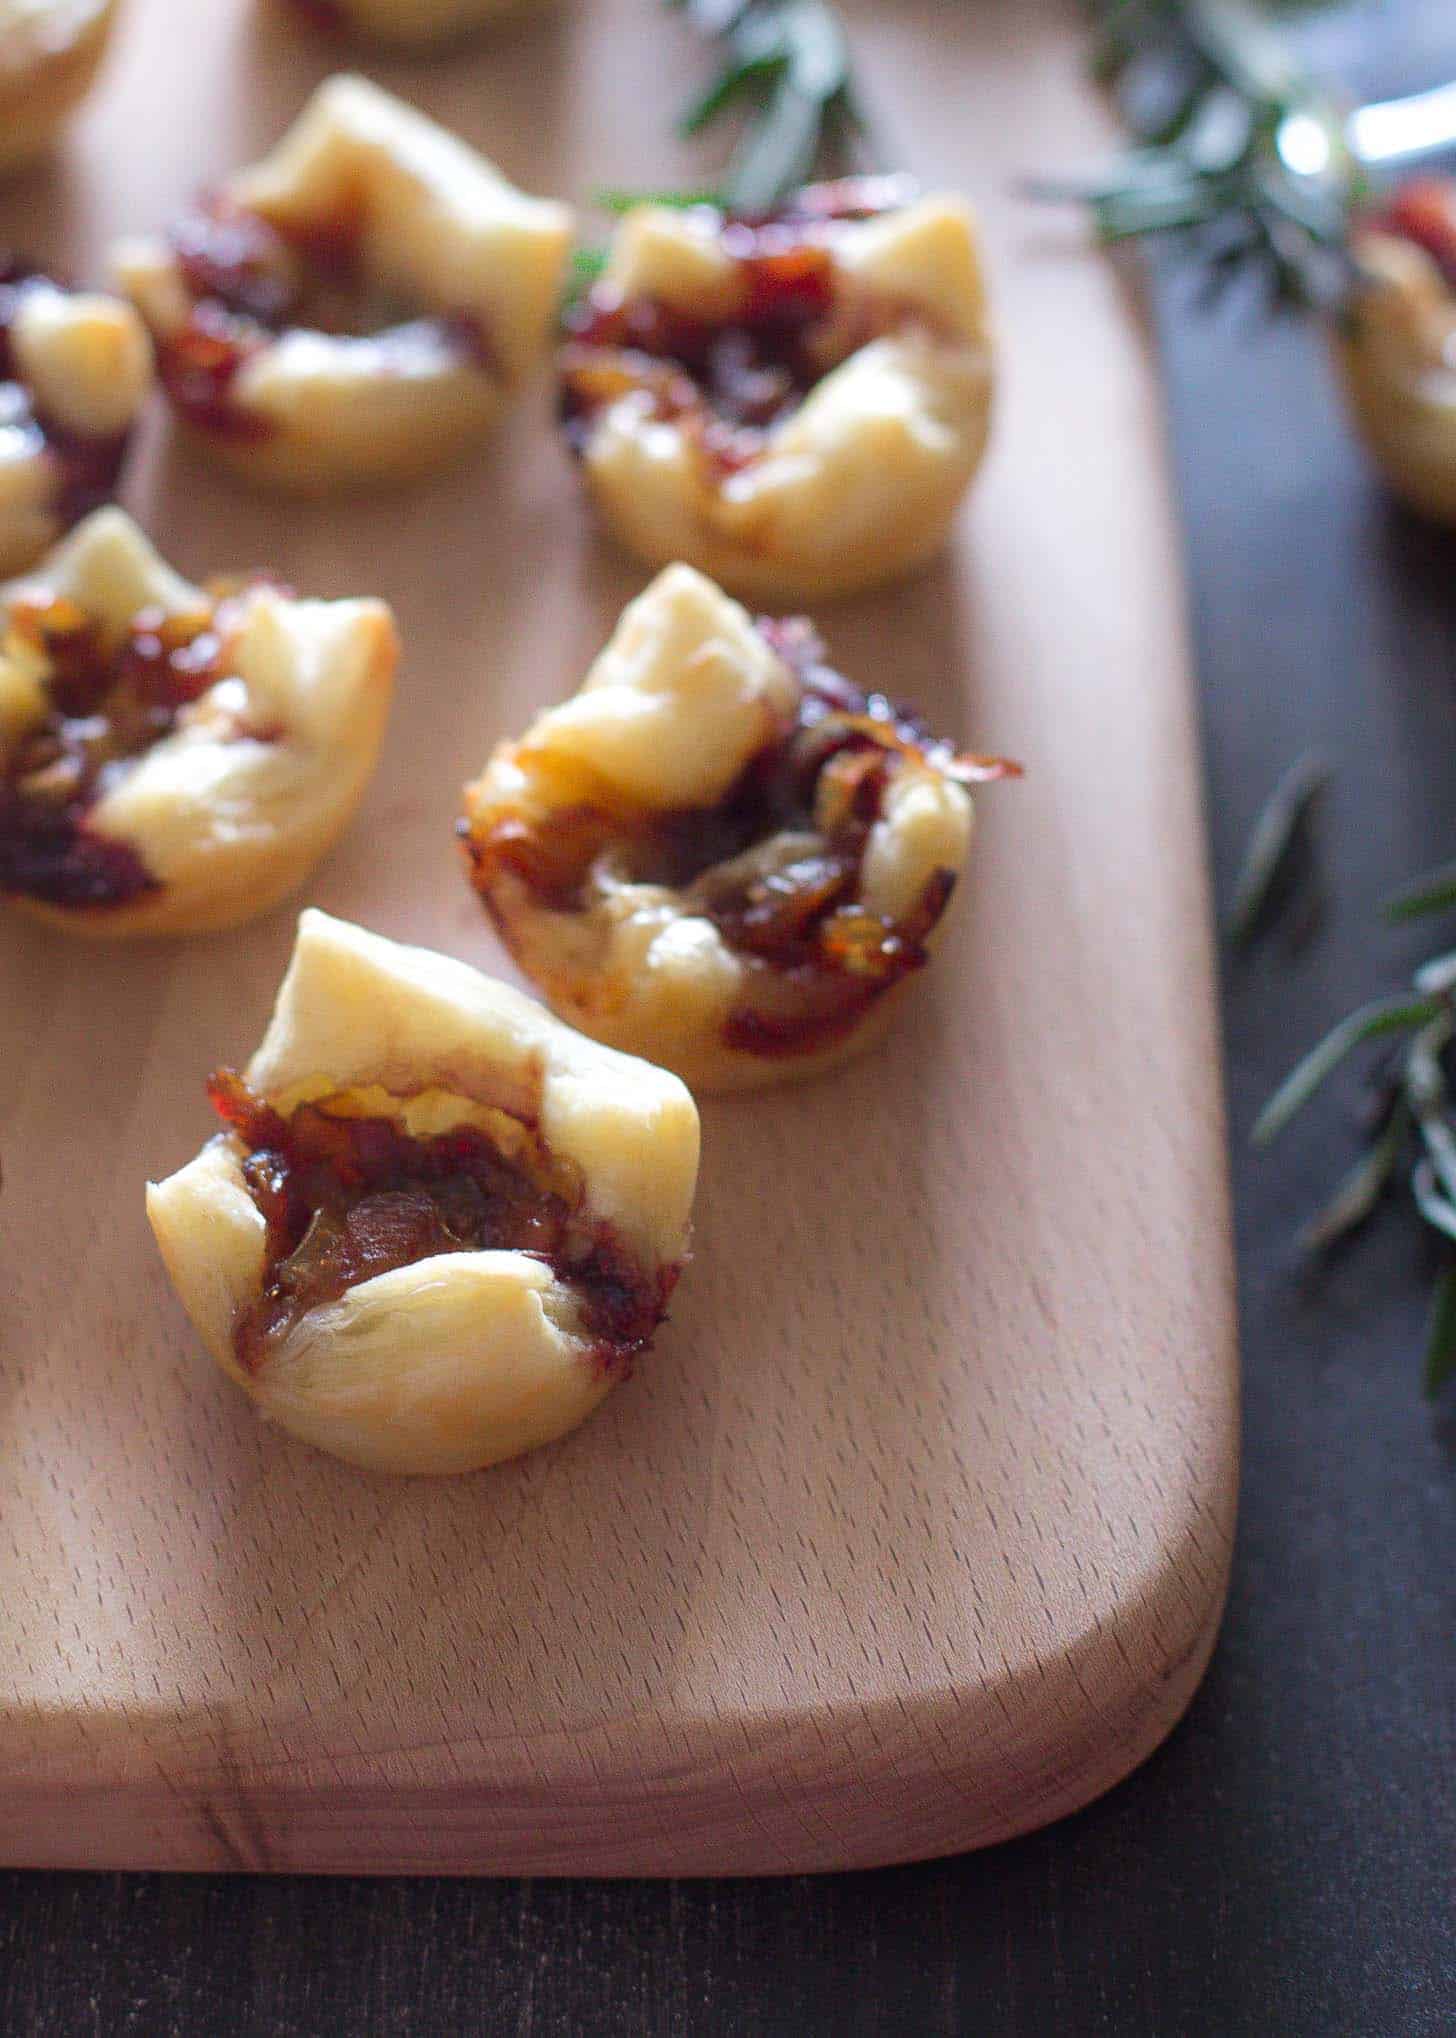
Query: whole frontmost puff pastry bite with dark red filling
<point>441,1224</point>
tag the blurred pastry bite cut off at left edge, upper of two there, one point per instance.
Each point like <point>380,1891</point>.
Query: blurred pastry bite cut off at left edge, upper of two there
<point>74,374</point>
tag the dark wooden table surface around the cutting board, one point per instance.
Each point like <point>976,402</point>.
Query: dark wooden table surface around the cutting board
<point>1286,1864</point>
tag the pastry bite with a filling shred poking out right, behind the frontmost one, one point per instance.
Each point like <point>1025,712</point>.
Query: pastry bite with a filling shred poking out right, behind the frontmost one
<point>721,853</point>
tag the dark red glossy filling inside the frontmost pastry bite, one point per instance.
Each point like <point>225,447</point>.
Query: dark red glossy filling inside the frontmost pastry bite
<point>352,1197</point>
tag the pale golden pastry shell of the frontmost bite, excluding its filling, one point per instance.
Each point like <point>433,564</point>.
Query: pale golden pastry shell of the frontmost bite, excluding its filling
<point>462,1358</point>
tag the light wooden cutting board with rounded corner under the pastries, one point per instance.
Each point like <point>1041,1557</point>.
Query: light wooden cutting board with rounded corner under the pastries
<point>915,1530</point>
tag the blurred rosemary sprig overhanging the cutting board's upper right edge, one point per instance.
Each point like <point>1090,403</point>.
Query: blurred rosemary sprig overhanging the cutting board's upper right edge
<point>1241,156</point>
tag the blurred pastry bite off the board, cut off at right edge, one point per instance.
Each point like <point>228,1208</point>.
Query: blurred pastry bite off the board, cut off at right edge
<point>1398,350</point>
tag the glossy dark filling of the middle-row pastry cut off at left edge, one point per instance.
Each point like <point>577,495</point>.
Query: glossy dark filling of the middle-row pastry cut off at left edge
<point>107,706</point>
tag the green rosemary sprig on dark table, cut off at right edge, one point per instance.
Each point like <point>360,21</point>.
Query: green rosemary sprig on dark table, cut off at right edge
<point>1416,1130</point>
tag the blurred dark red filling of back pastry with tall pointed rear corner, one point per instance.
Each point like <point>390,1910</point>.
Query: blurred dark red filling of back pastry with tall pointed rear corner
<point>252,282</point>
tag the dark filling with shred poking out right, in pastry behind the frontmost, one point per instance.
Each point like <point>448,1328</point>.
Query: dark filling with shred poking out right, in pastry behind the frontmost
<point>817,957</point>
